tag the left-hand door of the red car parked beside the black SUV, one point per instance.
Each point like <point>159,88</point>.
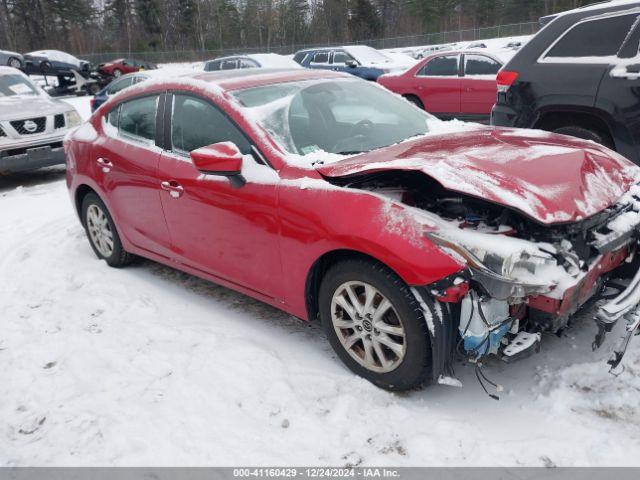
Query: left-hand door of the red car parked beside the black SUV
<point>438,85</point>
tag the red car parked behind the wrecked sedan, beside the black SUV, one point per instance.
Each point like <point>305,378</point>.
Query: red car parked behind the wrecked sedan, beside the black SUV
<point>451,84</point>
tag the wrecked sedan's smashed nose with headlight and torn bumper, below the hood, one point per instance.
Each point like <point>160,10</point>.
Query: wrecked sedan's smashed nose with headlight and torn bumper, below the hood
<point>519,288</point>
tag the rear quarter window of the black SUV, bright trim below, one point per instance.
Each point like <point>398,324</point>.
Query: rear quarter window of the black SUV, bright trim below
<point>595,38</point>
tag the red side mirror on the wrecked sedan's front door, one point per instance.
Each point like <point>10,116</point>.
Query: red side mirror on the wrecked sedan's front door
<point>223,159</point>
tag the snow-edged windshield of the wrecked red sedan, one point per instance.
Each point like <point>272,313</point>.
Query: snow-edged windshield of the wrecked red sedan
<point>336,116</point>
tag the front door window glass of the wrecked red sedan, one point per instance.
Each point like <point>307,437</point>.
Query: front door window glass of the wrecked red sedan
<point>196,123</point>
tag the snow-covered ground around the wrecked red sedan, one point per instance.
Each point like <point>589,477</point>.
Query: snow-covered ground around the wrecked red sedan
<point>150,366</point>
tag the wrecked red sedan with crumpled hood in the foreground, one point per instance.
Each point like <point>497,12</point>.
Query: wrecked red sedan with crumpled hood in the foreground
<point>332,199</point>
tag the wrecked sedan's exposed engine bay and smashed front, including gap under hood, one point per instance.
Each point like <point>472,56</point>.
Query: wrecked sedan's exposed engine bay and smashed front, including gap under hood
<point>523,278</point>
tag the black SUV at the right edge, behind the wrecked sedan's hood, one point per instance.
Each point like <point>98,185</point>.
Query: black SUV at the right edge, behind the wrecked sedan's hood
<point>580,76</point>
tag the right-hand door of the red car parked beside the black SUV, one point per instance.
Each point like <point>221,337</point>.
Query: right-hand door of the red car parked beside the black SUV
<point>478,88</point>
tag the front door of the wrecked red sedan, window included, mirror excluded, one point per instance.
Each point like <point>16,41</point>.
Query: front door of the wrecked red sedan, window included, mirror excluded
<point>228,232</point>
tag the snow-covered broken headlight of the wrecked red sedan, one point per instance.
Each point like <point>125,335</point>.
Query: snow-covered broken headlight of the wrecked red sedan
<point>504,270</point>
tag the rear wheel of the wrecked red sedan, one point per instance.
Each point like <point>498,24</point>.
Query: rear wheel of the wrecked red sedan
<point>102,233</point>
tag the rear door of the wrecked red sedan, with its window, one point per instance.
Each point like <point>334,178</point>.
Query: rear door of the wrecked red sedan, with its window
<point>126,161</point>
